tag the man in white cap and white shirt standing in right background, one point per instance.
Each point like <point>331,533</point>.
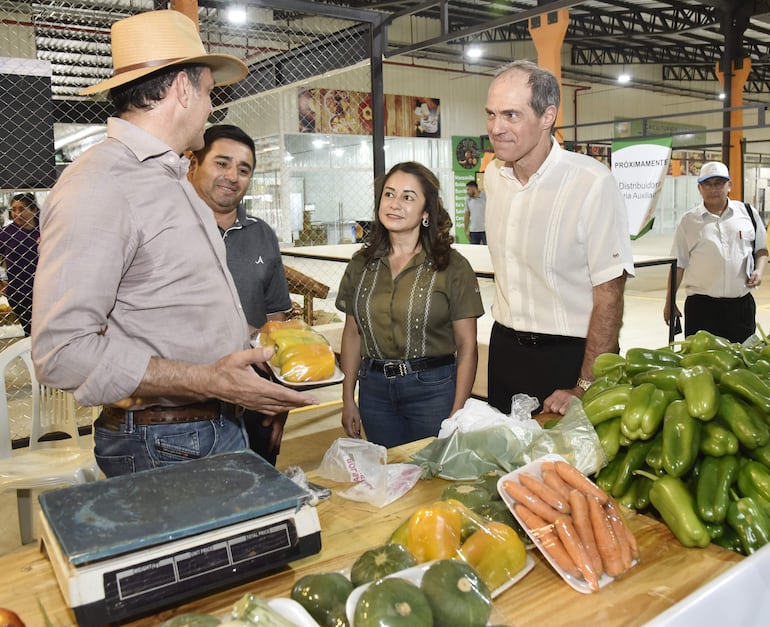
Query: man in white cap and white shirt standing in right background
<point>721,252</point>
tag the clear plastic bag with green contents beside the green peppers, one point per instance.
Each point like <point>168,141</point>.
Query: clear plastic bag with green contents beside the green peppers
<point>507,442</point>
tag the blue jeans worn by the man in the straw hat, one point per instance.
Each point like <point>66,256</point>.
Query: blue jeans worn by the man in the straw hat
<point>131,448</point>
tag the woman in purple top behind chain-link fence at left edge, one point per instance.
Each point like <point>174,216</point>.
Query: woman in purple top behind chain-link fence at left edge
<point>18,246</point>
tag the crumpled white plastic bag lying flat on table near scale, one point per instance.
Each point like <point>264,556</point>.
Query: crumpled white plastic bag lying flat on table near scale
<point>365,464</point>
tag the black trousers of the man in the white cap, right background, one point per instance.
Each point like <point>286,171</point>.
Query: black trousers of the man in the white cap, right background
<point>731,318</point>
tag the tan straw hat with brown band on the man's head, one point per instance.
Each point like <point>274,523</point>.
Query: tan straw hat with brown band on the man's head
<point>148,42</point>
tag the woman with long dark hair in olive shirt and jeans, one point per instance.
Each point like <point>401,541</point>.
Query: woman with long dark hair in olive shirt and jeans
<point>410,304</point>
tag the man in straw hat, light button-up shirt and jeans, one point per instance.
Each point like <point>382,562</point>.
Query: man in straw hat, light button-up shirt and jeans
<point>134,306</point>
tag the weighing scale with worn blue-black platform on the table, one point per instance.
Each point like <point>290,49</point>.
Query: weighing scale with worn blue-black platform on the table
<point>132,544</point>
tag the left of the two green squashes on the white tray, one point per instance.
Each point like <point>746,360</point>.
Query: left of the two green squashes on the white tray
<point>393,602</point>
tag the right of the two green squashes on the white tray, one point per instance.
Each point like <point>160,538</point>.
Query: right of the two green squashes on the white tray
<point>456,594</point>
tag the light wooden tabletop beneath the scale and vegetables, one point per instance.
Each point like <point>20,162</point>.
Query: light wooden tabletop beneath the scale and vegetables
<point>667,572</point>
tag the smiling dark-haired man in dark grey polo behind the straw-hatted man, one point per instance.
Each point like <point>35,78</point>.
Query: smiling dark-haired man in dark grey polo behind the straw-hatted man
<point>221,172</point>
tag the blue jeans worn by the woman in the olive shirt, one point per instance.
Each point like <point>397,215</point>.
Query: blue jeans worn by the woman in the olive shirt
<point>403,409</point>
